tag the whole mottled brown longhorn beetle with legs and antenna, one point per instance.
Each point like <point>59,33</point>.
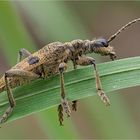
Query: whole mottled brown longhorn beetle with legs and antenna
<point>51,60</point>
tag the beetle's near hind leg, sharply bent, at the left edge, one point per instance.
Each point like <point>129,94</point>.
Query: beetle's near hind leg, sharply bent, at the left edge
<point>17,73</point>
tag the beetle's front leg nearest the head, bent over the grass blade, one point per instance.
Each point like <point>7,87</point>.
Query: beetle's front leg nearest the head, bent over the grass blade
<point>90,61</point>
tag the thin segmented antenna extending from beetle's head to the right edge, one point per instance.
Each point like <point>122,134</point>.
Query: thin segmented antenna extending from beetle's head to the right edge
<point>122,29</point>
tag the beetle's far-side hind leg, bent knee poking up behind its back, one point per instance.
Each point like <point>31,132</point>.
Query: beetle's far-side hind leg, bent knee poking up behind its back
<point>23,53</point>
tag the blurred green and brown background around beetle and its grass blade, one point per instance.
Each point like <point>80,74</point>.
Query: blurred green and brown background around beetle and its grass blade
<point>33,24</point>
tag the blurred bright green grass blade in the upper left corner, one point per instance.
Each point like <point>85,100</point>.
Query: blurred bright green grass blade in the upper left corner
<point>13,35</point>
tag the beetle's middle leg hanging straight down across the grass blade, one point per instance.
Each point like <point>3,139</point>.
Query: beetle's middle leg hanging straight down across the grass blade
<point>64,103</point>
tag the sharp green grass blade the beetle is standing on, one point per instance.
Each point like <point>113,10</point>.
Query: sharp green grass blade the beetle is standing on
<point>43,94</point>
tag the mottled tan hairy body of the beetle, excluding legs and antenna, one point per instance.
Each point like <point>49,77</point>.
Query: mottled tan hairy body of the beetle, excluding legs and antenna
<point>47,59</point>
